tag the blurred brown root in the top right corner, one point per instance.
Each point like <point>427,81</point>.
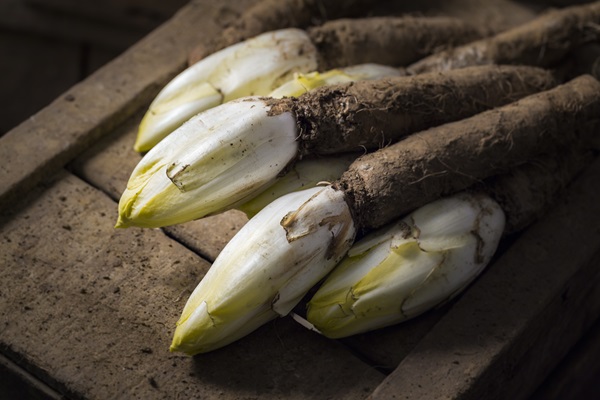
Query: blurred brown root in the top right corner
<point>542,42</point>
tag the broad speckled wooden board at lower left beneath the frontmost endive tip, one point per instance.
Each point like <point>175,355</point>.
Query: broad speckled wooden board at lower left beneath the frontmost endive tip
<point>90,310</point>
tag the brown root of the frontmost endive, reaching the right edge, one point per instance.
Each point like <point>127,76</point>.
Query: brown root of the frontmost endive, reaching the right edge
<point>386,184</point>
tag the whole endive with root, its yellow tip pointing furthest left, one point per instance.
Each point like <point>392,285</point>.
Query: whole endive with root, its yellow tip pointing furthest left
<point>226,155</point>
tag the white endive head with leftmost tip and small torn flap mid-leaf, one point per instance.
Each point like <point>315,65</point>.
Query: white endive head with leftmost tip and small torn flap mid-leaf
<point>220,157</point>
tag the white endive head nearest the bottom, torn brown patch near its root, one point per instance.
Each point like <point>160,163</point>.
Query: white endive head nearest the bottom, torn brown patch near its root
<point>261,275</point>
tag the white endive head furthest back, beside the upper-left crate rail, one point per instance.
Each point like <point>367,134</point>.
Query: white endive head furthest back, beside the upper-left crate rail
<point>254,67</point>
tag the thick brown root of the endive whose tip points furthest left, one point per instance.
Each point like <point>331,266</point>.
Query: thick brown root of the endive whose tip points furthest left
<point>372,114</point>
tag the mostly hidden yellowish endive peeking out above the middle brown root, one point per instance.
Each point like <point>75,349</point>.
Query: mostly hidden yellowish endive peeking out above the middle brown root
<point>302,83</point>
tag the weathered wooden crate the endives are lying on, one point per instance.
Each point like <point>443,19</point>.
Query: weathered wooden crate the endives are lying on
<point>87,311</point>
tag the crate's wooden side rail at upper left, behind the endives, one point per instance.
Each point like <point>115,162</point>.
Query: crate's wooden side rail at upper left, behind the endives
<point>44,143</point>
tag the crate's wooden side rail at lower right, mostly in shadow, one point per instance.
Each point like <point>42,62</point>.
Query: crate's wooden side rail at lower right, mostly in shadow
<point>508,331</point>
